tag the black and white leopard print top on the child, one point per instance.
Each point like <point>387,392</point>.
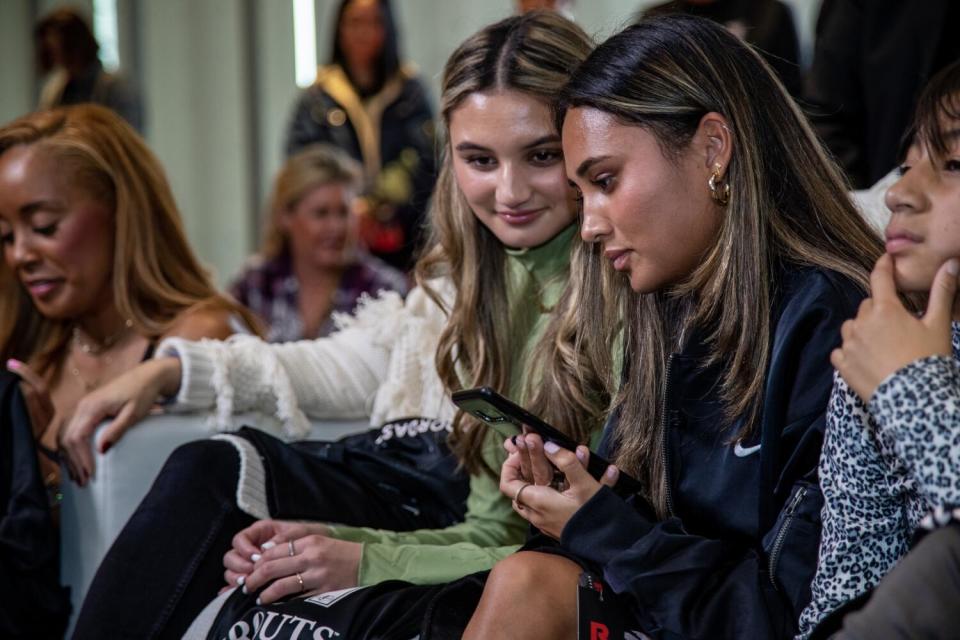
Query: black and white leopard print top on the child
<point>884,467</point>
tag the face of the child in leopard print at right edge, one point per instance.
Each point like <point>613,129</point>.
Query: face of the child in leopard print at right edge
<point>924,230</point>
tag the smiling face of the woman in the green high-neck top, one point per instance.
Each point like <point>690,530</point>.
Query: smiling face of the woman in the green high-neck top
<point>508,164</point>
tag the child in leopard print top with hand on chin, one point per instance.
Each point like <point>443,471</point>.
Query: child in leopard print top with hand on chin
<point>891,454</point>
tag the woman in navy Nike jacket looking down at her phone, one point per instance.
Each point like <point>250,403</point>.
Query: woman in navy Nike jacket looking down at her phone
<point>707,189</point>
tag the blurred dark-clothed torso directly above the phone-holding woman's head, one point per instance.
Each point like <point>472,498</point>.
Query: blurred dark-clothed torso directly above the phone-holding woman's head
<point>766,24</point>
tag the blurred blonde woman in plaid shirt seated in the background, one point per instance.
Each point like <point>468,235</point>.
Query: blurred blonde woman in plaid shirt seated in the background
<point>310,264</point>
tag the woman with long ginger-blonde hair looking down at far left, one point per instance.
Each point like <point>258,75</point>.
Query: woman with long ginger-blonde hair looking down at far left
<point>96,270</point>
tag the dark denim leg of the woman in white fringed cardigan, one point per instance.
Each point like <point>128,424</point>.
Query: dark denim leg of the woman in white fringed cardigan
<point>167,563</point>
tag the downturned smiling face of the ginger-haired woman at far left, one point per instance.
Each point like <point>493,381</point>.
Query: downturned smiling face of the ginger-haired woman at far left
<point>57,237</point>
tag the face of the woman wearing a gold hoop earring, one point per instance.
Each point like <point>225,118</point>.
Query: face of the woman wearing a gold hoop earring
<point>653,214</point>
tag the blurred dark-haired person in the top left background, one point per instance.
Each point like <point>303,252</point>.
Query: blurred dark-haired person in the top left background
<point>66,53</point>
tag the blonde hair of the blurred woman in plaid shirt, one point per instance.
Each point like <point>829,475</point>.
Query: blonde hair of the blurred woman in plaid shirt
<point>314,166</point>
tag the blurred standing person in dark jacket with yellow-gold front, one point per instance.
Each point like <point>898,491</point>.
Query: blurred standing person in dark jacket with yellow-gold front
<point>376,109</point>
